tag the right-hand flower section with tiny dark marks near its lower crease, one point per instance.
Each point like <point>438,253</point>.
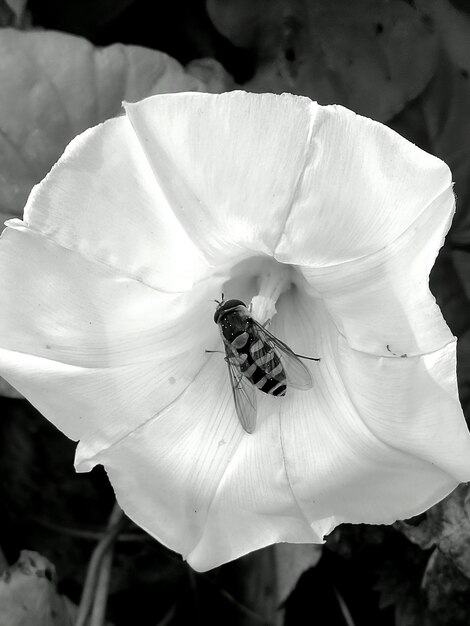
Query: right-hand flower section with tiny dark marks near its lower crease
<point>381,303</point>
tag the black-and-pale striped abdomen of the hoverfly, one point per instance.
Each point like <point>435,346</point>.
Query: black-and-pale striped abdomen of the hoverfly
<point>259,363</point>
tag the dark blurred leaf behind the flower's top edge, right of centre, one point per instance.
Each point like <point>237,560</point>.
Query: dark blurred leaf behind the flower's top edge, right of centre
<point>372,56</point>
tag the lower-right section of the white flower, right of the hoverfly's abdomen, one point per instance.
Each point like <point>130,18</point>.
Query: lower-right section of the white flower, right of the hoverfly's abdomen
<point>377,439</point>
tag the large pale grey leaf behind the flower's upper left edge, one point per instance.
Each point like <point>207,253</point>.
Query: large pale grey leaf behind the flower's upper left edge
<point>54,86</point>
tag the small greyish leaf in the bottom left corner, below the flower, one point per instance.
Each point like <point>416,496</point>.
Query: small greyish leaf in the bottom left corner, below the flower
<point>28,595</point>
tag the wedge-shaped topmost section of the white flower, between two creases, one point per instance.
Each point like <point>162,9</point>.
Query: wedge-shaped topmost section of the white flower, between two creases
<point>229,165</point>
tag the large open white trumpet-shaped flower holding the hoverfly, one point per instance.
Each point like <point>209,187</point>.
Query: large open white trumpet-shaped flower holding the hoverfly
<point>108,287</point>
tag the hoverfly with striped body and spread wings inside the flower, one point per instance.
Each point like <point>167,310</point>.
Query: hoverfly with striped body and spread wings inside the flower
<point>256,359</point>
